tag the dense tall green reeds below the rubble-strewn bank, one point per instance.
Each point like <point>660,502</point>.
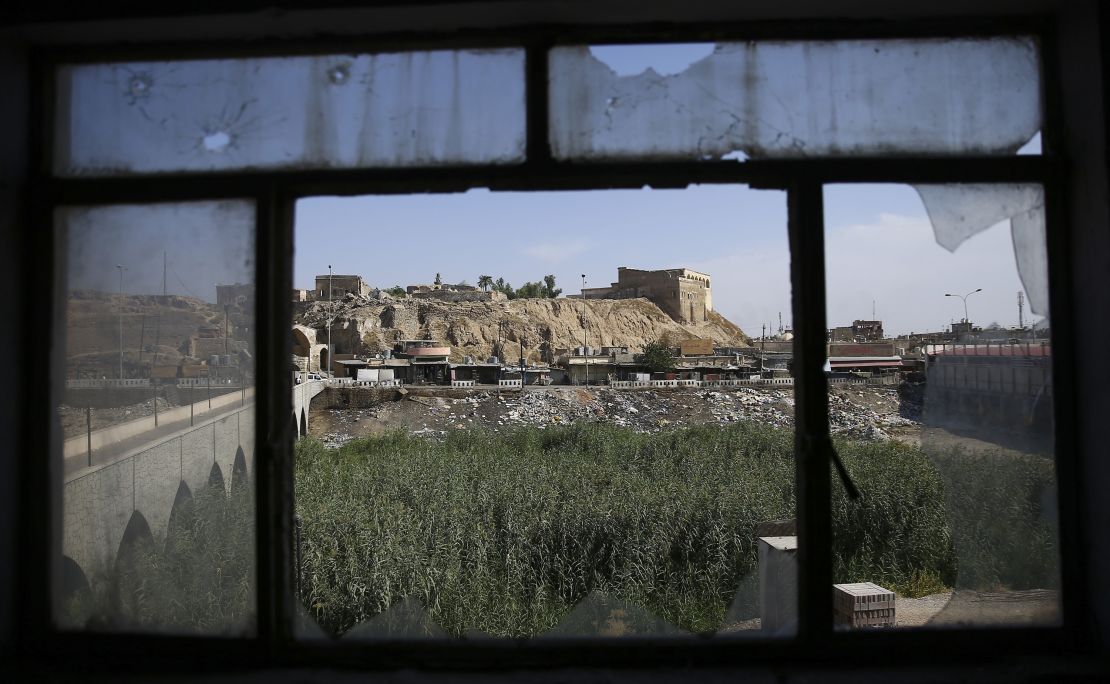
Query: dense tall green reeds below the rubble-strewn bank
<point>503,534</point>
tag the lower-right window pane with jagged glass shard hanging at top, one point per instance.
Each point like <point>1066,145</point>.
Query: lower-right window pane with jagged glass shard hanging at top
<point>962,411</point>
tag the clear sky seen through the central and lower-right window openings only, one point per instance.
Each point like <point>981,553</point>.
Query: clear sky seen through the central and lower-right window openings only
<point>880,248</point>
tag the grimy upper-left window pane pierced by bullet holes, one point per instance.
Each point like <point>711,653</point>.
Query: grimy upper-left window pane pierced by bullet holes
<point>331,112</point>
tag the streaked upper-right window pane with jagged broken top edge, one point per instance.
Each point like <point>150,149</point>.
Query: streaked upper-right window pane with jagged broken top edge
<point>800,99</point>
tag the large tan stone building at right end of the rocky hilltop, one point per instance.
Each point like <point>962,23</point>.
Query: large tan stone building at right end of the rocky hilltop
<point>684,295</point>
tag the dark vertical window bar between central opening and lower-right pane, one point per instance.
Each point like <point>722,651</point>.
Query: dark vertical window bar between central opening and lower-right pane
<point>806,223</point>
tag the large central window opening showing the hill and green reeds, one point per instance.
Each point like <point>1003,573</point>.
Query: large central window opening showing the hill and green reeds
<point>488,455</point>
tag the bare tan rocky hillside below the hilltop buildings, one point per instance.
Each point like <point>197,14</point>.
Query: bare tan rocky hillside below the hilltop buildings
<point>367,326</point>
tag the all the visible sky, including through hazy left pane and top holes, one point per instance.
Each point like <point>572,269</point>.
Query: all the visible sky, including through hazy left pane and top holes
<point>880,245</point>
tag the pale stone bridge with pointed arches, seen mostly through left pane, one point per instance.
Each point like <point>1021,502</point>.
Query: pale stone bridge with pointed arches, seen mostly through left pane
<point>135,495</point>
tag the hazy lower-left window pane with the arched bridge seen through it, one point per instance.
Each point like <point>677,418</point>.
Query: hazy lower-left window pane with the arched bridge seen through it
<point>157,419</point>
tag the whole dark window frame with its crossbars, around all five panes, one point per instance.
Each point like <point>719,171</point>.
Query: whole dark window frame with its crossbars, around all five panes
<point>275,195</point>
